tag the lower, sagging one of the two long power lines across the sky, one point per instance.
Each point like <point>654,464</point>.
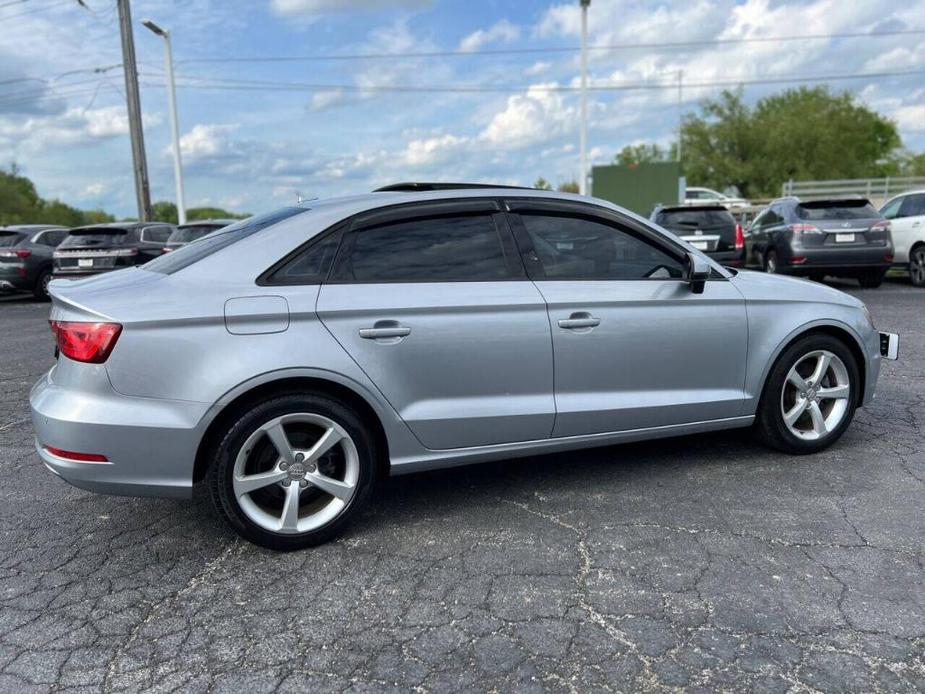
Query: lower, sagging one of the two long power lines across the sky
<point>203,82</point>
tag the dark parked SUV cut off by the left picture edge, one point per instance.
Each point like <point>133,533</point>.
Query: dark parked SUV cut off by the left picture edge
<point>26,257</point>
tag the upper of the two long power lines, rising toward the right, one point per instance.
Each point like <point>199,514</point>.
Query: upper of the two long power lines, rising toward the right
<point>662,45</point>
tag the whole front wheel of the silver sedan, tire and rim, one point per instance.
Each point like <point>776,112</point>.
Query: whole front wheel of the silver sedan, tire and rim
<point>810,396</point>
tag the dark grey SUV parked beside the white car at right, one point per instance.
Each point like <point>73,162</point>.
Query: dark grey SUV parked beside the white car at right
<point>815,238</point>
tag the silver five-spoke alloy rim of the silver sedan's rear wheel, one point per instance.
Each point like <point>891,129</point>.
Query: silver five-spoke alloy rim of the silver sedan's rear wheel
<point>296,473</point>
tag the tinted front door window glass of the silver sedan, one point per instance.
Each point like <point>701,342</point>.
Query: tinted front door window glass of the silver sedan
<point>572,248</point>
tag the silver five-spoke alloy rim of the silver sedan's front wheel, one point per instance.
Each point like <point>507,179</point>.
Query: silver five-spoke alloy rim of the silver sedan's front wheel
<point>815,396</point>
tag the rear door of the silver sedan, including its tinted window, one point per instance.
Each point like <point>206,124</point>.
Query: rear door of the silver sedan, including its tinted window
<point>432,302</point>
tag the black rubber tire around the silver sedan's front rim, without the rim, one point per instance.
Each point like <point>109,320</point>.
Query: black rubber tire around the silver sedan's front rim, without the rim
<point>769,420</point>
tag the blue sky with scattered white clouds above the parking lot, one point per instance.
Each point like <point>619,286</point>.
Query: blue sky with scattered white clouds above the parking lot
<point>260,123</point>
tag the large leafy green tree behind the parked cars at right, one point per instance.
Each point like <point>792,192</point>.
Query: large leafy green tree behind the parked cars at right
<point>805,133</point>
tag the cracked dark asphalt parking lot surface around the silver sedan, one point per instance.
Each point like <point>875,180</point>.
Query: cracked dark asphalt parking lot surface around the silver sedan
<point>704,562</point>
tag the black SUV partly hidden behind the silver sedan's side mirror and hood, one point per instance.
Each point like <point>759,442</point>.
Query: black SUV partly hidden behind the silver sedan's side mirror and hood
<point>710,228</point>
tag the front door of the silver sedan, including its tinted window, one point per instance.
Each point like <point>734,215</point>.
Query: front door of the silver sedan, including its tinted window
<point>633,346</point>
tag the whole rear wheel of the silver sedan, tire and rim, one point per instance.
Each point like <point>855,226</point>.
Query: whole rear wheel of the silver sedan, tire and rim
<point>293,471</point>
